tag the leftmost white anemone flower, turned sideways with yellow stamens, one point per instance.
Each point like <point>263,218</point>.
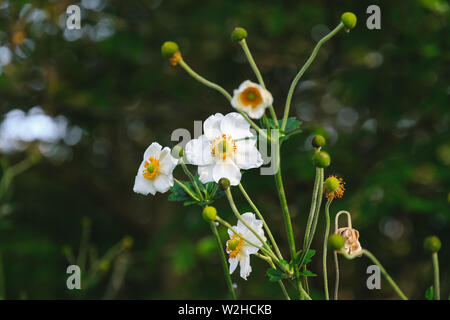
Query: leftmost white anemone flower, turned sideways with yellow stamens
<point>155,172</point>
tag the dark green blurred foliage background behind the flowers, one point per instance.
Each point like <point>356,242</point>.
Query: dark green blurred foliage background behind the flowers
<point>381,97</point>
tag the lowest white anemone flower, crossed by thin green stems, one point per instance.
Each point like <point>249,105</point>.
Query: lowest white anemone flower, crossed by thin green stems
<point>239,250</point>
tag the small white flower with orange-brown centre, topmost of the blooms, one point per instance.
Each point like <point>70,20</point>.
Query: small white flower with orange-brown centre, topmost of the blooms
<point>252,99</point>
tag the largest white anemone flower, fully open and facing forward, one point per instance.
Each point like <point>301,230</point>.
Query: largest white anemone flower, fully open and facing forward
<point>226,146</point>
